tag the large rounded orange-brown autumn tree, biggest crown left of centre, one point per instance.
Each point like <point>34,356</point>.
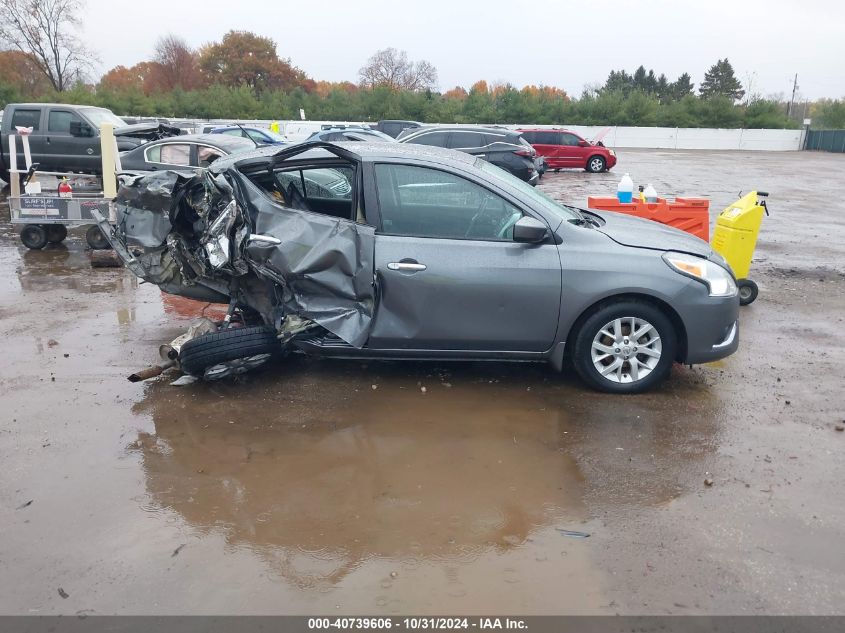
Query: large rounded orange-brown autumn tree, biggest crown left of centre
<point>242,58</point>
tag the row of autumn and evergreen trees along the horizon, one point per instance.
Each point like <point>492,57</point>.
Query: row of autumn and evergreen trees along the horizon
<point>241,76</point>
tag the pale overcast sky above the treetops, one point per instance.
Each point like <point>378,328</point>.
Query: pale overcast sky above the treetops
<point>568,44</point>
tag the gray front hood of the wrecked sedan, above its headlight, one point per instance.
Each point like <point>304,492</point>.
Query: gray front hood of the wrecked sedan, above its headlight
<point>640,233</point>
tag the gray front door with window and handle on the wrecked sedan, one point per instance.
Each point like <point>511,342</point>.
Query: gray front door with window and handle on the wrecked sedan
<point>449,275</point>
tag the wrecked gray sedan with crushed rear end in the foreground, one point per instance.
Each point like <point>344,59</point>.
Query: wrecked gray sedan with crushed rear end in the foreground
<point>406,251</point>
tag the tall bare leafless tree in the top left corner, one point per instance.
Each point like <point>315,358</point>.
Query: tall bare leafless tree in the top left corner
<point>46,31</point>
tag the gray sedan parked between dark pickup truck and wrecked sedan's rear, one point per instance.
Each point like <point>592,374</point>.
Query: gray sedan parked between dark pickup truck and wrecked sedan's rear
<point>188,151</point>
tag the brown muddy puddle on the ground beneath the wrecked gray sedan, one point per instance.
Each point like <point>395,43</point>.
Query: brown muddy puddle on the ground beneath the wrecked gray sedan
<point>323,476</point>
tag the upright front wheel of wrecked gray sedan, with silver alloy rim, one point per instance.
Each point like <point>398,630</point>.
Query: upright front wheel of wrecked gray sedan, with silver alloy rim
<point>605,315</point>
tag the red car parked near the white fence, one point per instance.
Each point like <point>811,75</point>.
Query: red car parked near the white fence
<point>564,149</point>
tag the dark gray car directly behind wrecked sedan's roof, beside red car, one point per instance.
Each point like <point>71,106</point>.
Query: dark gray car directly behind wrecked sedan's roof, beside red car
<point>498,146</point>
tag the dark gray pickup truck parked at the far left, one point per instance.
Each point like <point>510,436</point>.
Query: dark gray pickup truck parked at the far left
<point>66,137</point>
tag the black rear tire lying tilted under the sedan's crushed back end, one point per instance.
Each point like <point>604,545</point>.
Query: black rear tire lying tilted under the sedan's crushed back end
<point>226,345</point>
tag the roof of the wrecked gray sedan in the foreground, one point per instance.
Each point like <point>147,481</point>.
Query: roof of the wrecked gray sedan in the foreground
<point>363,151</point>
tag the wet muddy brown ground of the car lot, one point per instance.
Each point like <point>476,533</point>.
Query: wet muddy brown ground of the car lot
<point>336,487</point>
